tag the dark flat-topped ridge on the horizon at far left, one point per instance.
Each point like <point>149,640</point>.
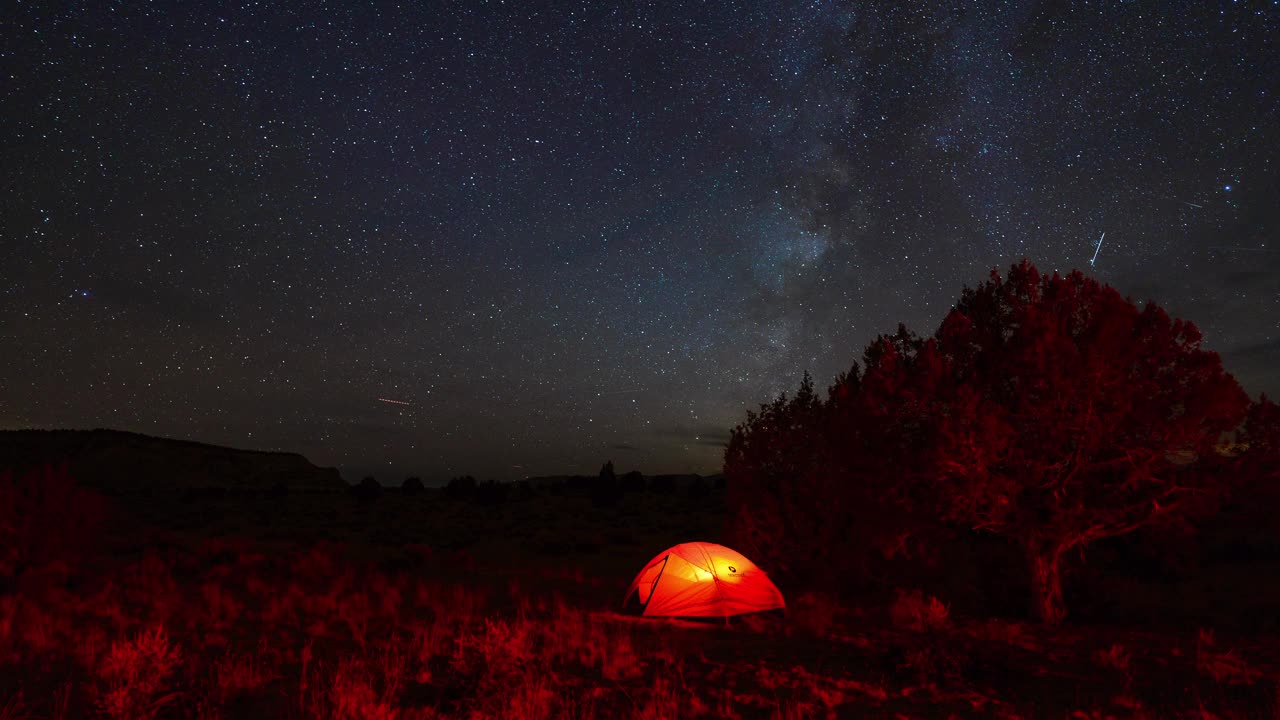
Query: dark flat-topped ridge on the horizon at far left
<point>124,463</point>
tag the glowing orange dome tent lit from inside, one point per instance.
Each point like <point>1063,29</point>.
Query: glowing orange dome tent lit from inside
<point>702,580</point>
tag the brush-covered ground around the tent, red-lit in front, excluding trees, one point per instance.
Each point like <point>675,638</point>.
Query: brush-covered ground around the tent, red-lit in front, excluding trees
<point>326,605</point>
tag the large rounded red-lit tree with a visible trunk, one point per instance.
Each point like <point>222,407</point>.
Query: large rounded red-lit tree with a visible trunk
<point>1054,412</point>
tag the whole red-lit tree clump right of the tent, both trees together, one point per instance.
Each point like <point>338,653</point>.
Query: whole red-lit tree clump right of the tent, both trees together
<point>1046,409</point>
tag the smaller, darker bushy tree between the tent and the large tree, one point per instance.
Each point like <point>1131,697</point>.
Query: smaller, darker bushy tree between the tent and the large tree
<point>811,493</point>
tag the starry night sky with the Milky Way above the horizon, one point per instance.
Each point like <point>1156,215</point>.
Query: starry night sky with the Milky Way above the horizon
<point>573,233</point>
